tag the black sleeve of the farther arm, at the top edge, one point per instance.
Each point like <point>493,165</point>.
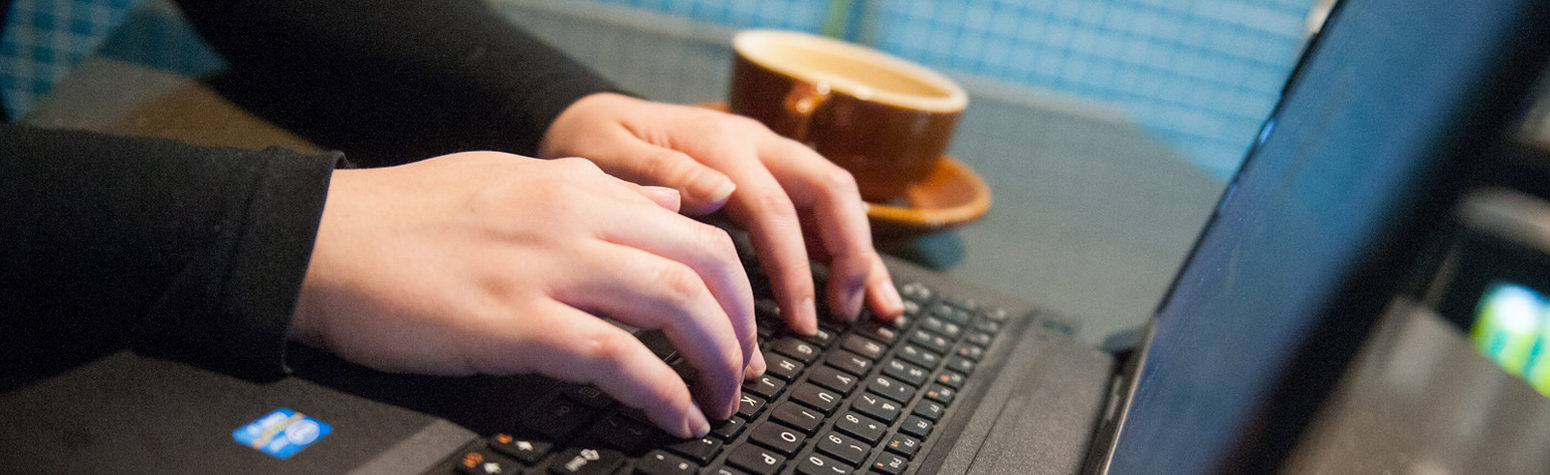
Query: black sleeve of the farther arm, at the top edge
<point>390,81</point>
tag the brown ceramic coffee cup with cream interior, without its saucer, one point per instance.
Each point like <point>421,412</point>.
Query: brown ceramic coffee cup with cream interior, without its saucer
<point>883,119</point>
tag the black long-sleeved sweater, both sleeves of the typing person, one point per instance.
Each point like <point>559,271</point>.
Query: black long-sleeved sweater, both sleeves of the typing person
<point>199,252</point>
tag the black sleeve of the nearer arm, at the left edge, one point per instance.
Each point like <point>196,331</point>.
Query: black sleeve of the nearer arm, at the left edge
<point>187,252</point>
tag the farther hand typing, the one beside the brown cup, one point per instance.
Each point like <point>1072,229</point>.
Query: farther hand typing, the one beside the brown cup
<point>771,185</point>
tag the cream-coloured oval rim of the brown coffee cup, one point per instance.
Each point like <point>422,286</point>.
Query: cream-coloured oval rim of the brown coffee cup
<point>956,100</point>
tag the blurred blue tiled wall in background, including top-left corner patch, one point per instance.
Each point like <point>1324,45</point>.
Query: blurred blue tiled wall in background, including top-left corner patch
<point>1197,74</point>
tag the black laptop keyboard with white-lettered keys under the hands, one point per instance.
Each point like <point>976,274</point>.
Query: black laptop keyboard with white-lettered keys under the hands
<point>850,400</point>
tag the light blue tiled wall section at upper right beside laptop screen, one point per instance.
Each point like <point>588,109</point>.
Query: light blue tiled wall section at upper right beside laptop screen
<point>1200,74</point>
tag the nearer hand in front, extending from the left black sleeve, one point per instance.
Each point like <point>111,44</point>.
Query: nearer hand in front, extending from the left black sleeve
<point>497,265</point>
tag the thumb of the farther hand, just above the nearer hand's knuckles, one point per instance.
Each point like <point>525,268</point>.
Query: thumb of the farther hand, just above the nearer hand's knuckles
<point>704,189</point>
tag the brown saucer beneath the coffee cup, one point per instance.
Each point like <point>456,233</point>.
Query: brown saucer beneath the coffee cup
<point>951,196</point>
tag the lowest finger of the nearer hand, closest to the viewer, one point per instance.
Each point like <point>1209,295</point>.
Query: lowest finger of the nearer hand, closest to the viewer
<point>580,348</point>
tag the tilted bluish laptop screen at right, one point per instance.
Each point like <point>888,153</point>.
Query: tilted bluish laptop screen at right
<point>1314,234</point>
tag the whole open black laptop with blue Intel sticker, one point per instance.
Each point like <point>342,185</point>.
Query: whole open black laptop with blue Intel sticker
<point>1359,165</point>
